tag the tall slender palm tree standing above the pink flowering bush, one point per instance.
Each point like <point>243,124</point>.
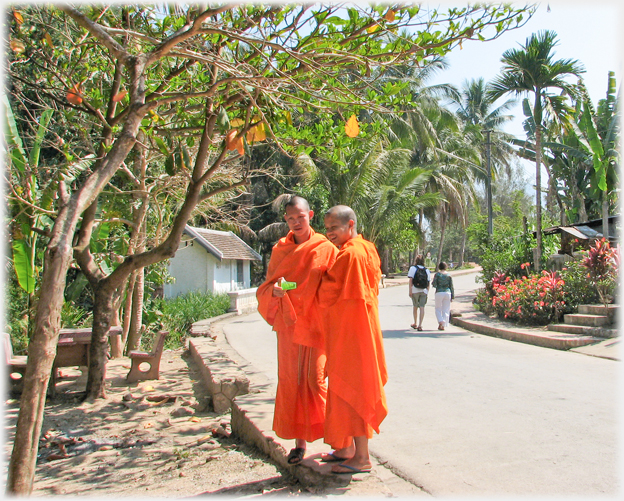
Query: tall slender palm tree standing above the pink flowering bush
<point>531,69</point>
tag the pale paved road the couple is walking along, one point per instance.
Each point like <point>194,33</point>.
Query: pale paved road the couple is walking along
<point>474,415</point>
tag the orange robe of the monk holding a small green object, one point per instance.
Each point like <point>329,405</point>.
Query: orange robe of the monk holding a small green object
<point>301,389</point>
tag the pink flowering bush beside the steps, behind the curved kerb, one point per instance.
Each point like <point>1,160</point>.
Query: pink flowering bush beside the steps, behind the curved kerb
<point>536,299</point>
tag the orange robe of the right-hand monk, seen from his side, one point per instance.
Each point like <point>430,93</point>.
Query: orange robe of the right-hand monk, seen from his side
<point>356,365</point>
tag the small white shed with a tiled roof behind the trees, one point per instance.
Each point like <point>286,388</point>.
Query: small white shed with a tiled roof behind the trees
<point>210,261</point>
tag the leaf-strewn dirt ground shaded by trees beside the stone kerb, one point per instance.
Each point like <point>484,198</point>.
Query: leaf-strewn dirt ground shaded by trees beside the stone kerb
<point>151,438</point>
